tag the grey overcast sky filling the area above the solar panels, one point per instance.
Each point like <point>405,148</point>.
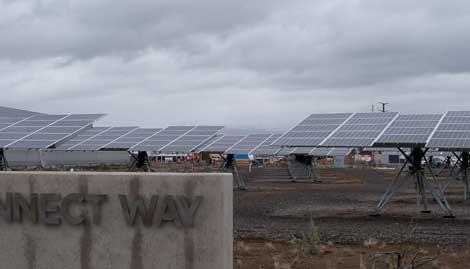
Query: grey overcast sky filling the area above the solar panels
<point>245,64</point>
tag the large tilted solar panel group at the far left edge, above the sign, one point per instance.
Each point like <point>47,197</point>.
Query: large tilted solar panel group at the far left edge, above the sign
<point>44,131</point>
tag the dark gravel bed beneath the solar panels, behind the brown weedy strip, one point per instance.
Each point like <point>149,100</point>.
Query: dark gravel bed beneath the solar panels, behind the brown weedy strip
<point>339,207</point>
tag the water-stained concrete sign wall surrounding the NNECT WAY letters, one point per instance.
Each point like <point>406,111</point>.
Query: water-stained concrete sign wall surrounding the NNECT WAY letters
<point>113,243</point>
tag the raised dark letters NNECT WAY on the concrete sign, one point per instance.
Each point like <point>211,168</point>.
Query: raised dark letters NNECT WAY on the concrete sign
<point>84,209</point>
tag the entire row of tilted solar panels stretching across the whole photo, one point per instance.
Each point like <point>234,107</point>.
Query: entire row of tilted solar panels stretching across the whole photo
<point>338,130</point>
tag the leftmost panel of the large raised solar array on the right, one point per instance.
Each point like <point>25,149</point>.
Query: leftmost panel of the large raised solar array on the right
<point>313,130</point>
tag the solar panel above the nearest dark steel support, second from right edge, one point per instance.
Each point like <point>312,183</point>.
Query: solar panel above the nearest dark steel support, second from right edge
<point>409,130</point>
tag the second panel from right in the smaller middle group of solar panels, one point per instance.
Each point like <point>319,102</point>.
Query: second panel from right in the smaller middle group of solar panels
<point>158,141</point>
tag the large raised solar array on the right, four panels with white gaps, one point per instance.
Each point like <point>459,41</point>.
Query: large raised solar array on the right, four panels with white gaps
<point>448,132</point>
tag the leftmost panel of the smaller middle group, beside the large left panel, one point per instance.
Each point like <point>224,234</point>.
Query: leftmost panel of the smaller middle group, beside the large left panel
<point>102,139</point>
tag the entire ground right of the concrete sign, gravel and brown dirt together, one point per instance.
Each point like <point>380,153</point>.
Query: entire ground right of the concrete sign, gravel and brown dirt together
<point>272,214</point>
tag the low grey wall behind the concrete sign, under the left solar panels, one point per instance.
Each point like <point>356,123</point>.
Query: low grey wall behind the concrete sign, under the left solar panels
<point>57,157</point>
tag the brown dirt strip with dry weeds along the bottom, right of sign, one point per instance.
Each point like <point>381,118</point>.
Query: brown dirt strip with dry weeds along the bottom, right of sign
<point>262,254</point>
